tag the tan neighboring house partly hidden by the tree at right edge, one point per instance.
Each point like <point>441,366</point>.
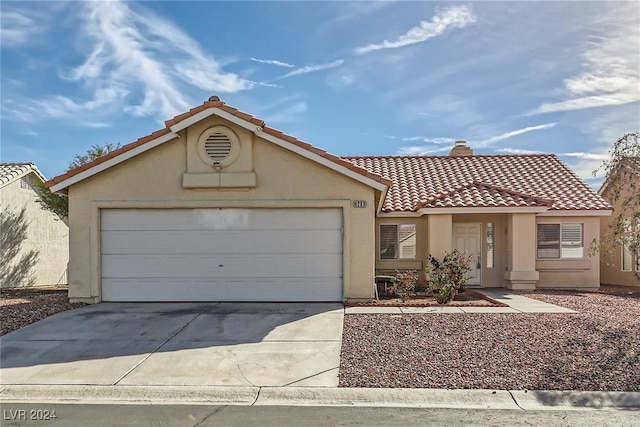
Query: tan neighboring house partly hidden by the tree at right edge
<point>620,266</point>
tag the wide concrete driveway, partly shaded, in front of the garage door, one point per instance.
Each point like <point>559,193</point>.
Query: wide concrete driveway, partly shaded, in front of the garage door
<point>217,344</point>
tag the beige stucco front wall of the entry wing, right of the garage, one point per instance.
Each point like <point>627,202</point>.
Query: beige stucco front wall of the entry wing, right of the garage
<point>515,265</point>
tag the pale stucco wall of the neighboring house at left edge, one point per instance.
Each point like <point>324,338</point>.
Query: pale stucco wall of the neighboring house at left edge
<point>46,233</point>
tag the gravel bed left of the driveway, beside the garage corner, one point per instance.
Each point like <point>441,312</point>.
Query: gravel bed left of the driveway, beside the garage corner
<point>21,307</point>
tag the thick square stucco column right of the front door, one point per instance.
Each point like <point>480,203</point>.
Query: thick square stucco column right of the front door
<point>521,252</point>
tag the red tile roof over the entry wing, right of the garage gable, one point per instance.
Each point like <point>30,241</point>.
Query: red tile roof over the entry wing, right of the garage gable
<point>481,181</point>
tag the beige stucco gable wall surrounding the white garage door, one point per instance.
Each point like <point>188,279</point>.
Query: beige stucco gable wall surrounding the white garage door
<point>154,179</point>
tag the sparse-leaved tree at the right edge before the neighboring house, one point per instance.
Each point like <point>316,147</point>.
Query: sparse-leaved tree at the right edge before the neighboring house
<point>622,186</point>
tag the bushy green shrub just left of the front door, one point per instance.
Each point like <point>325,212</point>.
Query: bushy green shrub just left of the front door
<point>448,275</point>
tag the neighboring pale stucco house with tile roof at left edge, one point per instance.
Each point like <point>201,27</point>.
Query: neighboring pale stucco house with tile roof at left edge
<point>41,258</point>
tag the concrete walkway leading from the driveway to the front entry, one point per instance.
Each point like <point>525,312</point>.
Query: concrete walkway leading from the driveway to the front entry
<point>517,304</point>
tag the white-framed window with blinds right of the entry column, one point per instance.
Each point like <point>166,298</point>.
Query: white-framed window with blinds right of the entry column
<point>560,241</point>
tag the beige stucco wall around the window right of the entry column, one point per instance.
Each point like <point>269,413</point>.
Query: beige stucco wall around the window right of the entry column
<point>572,273</point>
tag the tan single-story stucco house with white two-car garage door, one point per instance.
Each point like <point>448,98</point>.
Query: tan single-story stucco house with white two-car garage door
<point>217,206</point>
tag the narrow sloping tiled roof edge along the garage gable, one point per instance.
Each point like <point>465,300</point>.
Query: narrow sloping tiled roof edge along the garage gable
<point>214,102</point>
